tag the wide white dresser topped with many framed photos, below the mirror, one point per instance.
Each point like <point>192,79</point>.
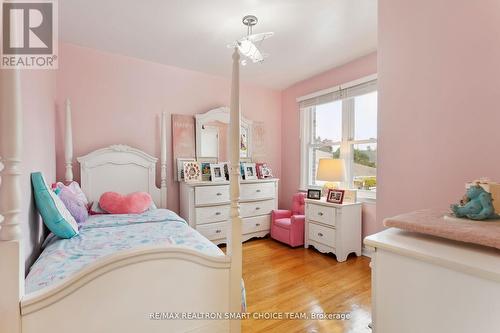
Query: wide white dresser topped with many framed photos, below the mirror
<point>205,206</point>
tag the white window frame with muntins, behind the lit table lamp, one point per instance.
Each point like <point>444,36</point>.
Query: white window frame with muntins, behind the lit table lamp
<point>346,144</point>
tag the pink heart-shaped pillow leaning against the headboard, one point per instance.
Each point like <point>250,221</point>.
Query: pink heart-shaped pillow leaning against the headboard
<point>133,203</point>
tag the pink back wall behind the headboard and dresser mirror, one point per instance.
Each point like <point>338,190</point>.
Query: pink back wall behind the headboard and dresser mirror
<point>118,99</point>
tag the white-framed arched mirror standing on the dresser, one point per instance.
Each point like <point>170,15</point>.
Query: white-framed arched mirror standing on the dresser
<point>212,133</point>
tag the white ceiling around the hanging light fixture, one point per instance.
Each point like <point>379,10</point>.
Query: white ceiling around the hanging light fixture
<point>311,36</point>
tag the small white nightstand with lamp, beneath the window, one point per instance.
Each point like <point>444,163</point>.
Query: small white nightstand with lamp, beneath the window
<point>333,228</point>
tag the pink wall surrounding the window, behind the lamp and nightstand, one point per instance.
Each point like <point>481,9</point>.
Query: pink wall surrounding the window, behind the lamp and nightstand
<point>290,149</point>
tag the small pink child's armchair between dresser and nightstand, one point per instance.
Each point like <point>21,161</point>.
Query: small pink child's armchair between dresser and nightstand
<point>288,226</point>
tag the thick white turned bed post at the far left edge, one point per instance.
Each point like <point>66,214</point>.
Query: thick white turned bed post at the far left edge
<point>11,259</point>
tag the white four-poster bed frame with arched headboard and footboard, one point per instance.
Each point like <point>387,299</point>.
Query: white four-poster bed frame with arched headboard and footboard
<point>119,292</point>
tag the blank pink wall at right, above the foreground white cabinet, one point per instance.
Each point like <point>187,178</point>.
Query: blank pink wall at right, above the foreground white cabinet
<point>439,117</point>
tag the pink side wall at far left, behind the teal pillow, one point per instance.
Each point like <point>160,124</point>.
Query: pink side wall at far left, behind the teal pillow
<point>38,98</point>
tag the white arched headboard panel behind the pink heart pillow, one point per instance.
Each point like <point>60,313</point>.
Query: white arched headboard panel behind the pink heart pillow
<point>121,169</point>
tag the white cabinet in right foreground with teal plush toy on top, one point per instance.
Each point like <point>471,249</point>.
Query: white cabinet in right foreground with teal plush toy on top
<point>422,283</point>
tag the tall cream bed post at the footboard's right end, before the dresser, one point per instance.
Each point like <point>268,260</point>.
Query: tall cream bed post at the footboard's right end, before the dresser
<point>234,240</point>
